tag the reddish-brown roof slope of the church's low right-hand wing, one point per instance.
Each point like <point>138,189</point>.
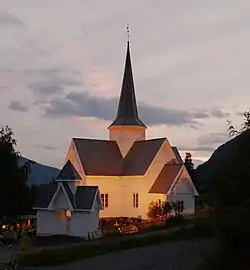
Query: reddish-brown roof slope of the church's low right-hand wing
<point>165,178</point>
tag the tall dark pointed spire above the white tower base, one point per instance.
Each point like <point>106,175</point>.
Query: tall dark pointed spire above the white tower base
<point>127,113</point>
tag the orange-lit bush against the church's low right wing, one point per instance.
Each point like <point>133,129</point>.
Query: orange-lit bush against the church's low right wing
<point>161,209</point>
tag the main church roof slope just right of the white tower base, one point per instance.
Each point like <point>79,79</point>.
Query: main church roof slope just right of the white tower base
<point>140,156</point>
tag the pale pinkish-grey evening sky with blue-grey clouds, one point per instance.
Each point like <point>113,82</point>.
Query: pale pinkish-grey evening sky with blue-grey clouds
<point>62,62</point>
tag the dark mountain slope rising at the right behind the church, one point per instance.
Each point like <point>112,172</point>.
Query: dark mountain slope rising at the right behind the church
<point>231,153</point>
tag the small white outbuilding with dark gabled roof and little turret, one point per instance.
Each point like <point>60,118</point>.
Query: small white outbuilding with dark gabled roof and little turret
<point>63,208</point>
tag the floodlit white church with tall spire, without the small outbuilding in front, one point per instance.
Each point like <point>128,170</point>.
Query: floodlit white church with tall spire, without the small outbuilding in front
<point>130,170</point>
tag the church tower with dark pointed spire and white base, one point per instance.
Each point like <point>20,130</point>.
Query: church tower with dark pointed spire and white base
<point>127,126</point>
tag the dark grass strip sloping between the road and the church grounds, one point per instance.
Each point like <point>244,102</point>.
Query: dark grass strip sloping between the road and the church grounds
<point>61,255</point>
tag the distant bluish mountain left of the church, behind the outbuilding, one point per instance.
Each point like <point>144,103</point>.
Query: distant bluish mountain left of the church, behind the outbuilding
<point>39,174</point>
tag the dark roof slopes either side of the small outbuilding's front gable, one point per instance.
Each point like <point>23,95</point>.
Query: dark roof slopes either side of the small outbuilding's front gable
<point>82,200</point>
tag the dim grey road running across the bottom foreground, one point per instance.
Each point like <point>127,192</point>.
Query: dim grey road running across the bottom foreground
<point>179,255</point>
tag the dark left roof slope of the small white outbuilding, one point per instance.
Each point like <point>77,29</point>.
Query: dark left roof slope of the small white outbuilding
<point>45,195</point>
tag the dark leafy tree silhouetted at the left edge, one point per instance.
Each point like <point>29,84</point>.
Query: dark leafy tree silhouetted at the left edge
<point>14,193</point>
